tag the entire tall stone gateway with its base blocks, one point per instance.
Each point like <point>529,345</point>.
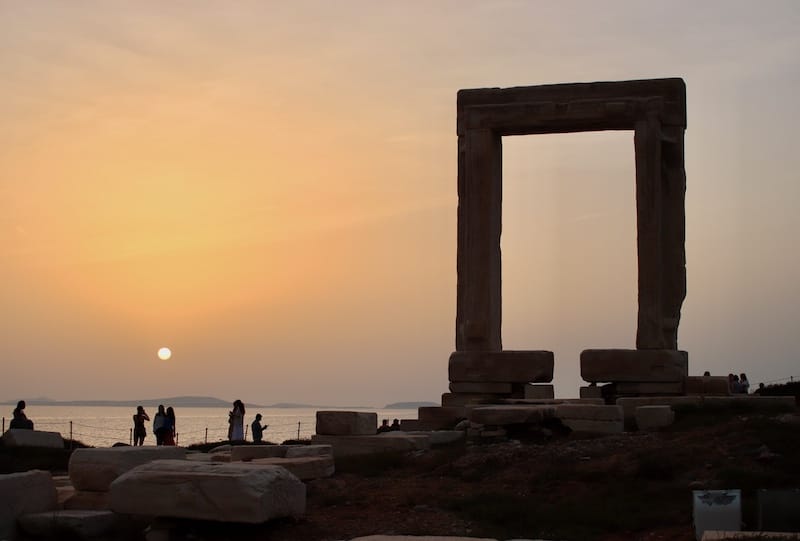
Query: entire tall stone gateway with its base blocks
<point>656,112</point>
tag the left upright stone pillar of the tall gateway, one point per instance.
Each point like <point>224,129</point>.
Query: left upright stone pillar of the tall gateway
<point>478,296</point>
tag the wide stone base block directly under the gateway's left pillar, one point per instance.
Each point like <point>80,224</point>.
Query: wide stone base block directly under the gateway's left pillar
<point>501,366</point>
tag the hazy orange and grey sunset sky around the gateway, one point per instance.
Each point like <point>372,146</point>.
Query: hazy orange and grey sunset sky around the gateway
<point>269,188</point>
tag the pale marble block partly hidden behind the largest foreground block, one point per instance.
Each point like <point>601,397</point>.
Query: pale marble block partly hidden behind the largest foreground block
<point>95,469</point>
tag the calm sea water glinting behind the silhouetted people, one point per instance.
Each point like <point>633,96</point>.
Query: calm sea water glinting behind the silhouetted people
<point>104,426</point>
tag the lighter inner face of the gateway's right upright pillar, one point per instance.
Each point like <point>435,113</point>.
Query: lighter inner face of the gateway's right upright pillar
<point>647,147</point>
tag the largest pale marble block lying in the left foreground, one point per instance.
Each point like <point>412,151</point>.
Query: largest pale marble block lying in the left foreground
<point>236,492</point>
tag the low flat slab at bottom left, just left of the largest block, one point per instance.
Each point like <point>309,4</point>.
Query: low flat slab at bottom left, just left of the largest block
<point>70,524</point>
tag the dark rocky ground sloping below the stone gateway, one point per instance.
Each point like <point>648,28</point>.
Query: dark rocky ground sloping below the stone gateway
<point>543,484</point>
